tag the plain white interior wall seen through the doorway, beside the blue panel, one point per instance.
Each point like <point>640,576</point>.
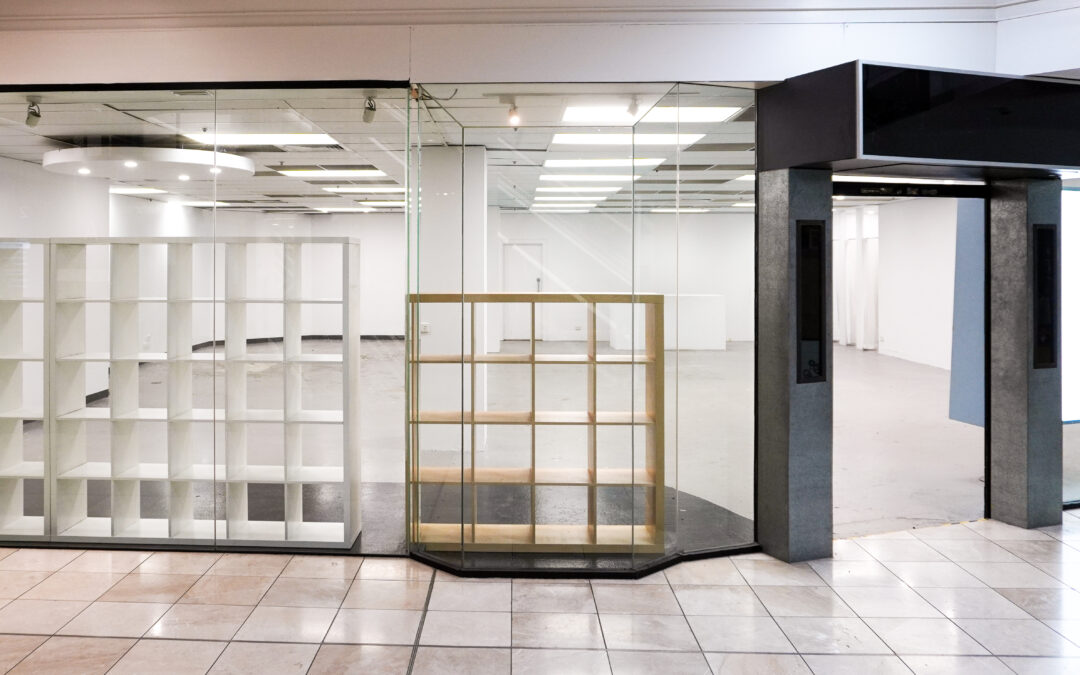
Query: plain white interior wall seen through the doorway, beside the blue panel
<point>917,264</point>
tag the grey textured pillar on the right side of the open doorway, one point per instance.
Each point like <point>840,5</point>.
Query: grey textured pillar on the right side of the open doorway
<point>1025,411</point>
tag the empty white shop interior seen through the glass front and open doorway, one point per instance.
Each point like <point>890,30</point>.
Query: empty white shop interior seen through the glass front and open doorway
<point>499,327</point>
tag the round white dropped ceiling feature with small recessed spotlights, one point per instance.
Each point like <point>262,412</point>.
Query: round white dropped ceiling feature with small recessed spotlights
<point>147,164</point>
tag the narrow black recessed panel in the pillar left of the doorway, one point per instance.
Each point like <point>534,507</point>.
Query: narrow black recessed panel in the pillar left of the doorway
<point>811,300</point>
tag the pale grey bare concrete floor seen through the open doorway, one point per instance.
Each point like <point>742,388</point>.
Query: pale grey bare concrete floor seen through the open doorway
<point>899,461</point>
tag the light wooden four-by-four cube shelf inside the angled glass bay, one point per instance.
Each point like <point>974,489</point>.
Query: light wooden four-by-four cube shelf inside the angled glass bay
<point>589,535</point>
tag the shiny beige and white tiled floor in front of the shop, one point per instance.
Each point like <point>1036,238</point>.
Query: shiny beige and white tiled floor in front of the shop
<point>979,598</point>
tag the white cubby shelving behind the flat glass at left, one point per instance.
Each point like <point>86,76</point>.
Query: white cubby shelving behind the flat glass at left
<point>175,457</point>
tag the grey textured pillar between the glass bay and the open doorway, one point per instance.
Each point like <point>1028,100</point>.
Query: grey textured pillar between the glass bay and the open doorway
<point>794,422</point>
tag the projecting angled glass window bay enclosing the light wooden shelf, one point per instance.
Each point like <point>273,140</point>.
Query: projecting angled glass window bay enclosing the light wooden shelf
<point>582,314</point>
